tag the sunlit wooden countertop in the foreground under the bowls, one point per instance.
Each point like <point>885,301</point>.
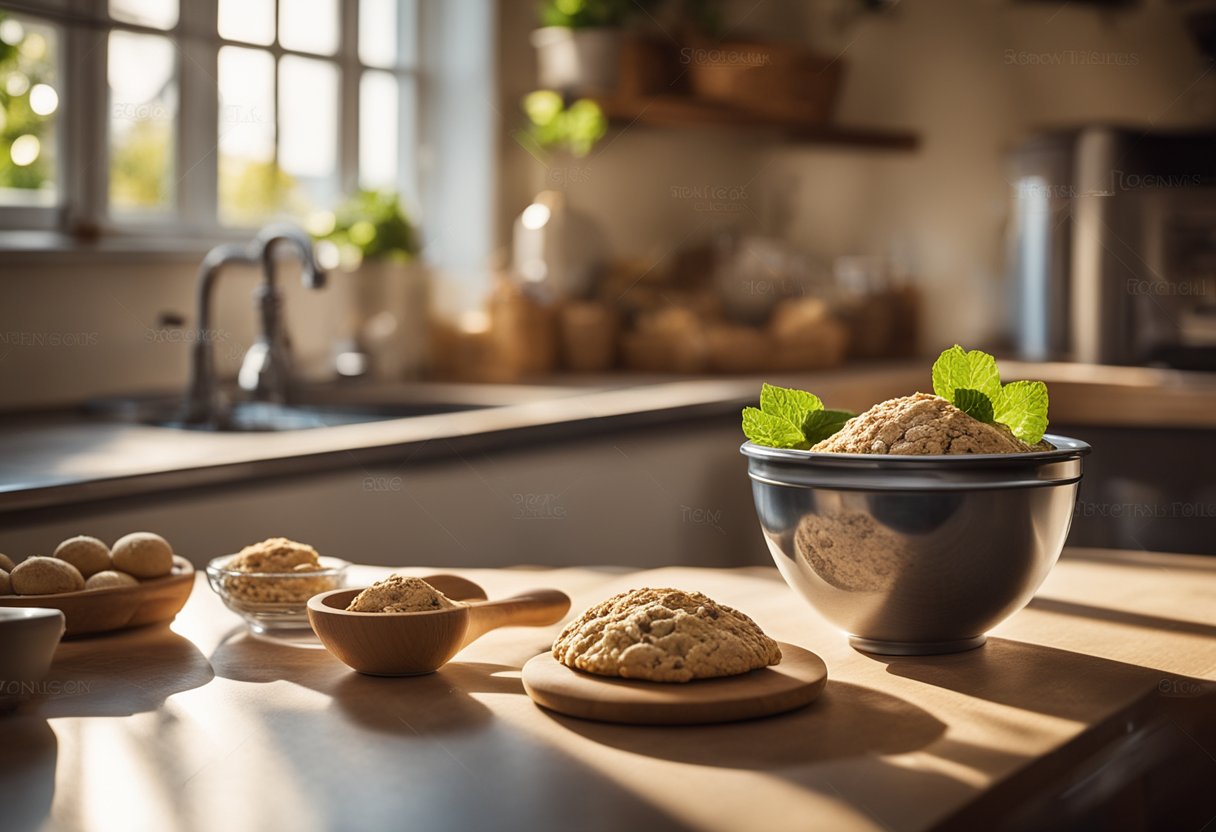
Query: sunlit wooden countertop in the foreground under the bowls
<point>206,728</point>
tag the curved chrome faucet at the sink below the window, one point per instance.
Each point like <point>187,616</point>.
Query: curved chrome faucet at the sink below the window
<point>266,372</point>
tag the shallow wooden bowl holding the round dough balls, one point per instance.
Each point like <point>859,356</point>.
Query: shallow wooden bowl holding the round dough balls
<point>117,608</point>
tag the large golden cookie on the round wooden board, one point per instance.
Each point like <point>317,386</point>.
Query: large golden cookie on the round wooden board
<point>665,636</point>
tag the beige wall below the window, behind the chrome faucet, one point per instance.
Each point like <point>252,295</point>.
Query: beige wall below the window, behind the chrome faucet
<point>75,327</point>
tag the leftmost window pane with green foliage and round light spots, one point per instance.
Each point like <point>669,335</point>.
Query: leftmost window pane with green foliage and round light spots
<point>30,109</point>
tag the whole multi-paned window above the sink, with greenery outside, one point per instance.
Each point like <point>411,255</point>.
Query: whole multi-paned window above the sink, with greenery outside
<point>202,116</point>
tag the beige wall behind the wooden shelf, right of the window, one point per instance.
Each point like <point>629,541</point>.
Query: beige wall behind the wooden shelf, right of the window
<point>973,78</point>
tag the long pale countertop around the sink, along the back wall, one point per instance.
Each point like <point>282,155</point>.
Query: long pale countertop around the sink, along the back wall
<point>67,460</point>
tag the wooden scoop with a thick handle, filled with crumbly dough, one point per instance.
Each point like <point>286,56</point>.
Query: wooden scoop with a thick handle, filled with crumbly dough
<point>413,644</point>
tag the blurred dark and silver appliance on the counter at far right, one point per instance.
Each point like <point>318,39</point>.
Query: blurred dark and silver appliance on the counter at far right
<point>1113,248</point>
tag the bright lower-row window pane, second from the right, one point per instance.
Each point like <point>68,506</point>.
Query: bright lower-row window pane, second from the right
<point>308,127</point>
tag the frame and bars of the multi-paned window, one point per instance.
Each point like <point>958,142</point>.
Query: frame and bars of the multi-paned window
<point>83,131</point>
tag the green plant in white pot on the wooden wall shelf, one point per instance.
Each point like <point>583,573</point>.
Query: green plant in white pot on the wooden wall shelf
<point>578,47</point>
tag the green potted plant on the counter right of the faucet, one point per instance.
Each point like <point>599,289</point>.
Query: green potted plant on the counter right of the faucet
<point>375,248</point>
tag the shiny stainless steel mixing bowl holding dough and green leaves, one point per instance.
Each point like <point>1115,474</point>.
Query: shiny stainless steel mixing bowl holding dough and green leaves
<point>916,555</point>
